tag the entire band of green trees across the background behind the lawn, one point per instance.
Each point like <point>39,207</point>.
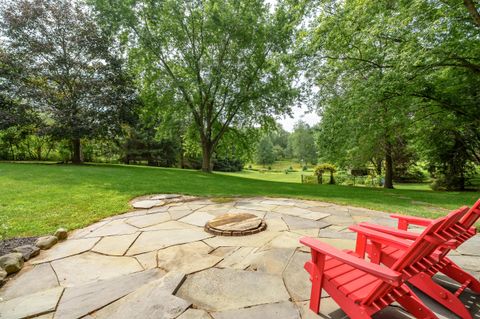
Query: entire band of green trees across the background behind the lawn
<point>199,84</point>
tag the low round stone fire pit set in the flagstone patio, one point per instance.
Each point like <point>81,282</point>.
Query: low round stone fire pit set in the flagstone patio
<point>235,225</point>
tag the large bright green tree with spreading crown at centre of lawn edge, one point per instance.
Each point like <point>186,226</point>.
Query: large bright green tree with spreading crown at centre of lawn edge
<point>225,64</point>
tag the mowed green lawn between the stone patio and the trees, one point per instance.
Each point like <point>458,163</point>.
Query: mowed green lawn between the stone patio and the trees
<point>35,199</point>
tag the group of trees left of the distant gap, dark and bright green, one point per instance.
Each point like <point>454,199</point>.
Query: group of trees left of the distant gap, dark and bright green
<point>170,83</point>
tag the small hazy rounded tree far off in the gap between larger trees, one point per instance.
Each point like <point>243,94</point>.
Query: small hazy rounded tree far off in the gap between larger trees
<point>303,143</point>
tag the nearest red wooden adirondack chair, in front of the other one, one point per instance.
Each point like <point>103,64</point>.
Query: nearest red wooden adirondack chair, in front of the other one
<point>362,288</point>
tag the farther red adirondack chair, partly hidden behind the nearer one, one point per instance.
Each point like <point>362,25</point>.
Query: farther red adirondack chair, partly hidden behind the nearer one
<point>423,281</point>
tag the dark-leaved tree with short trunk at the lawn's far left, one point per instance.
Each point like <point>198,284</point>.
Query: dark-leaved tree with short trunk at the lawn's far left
<point>68,68</point>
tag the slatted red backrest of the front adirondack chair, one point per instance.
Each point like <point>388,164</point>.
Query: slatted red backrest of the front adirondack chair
<point>418,257</point>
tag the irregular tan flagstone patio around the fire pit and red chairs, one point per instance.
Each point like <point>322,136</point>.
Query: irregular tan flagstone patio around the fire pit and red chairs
<point>157,262</point>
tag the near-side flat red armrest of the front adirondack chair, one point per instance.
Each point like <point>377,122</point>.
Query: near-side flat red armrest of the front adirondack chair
<point>383,273</point>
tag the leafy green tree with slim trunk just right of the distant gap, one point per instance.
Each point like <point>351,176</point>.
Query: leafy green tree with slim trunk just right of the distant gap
<point>358,67</point>
